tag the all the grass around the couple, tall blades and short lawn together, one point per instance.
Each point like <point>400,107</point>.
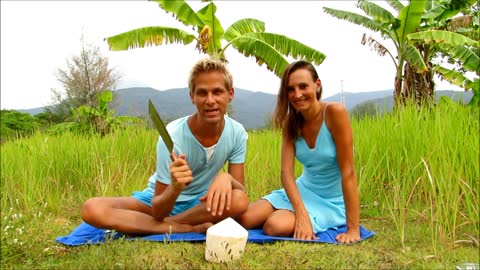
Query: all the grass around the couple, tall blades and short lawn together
<point>418,179</point>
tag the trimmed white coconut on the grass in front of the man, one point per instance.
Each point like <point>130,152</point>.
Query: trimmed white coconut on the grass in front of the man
<point>226,241</point>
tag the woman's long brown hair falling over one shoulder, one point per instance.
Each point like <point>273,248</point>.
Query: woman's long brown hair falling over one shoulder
<point>285,116</point>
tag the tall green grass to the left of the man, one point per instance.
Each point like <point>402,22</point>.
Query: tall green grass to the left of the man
<point>63,168</point>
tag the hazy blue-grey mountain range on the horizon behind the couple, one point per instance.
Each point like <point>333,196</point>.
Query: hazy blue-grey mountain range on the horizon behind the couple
<point>249,108</point>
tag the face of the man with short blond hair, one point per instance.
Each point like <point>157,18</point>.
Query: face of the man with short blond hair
<point>211,96</point>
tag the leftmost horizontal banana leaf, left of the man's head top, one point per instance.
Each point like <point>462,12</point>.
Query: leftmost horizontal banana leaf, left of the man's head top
<point>148,36</point>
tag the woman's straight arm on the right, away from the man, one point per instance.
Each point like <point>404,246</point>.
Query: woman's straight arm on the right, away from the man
<point>339,124</point>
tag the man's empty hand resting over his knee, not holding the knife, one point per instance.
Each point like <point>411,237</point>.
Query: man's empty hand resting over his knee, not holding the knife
<point>219,195</point>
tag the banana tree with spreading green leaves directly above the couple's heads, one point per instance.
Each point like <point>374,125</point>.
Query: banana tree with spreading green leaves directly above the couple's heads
<point>247,36</point>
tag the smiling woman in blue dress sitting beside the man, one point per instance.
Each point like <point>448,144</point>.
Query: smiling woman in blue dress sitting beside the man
<point>320,136</point>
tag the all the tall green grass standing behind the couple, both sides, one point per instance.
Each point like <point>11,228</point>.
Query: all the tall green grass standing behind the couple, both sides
<point>413,167</point>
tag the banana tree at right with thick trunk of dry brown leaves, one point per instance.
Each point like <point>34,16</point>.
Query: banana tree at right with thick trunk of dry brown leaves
<point>413,60</point>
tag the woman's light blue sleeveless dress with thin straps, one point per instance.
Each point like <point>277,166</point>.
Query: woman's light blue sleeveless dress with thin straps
<point>320,185</point>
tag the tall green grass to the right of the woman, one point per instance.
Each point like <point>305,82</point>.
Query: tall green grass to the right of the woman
<point>425,166</point>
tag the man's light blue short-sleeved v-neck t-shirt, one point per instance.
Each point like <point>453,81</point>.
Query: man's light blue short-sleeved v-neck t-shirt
<point>231,147</point>
